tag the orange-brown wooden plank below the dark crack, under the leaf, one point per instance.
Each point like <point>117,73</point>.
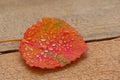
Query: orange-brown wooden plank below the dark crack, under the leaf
<point>101,62</point>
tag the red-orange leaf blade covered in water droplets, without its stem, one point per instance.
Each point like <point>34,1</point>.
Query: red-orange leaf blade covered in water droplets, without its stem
<point>51,43</point>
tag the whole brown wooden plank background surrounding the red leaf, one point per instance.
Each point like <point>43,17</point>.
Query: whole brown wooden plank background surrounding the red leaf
<point>92,18</point>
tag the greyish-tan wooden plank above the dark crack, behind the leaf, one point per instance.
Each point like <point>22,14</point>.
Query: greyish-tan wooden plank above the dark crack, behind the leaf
<point>92,19</point>
